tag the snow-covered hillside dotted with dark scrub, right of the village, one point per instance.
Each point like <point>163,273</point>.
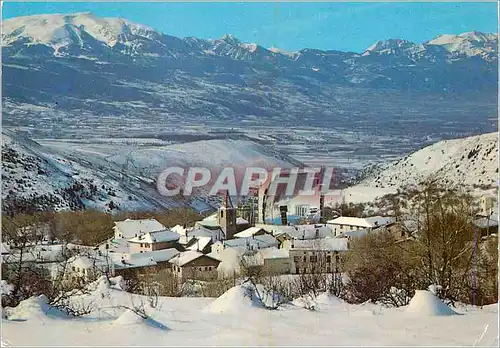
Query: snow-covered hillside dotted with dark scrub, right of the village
<point>470,162</point>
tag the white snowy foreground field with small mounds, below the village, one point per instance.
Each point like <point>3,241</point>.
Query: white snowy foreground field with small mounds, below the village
<point>233,319</point>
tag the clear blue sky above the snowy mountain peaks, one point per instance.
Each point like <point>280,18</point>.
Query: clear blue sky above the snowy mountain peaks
<point>290,26</point>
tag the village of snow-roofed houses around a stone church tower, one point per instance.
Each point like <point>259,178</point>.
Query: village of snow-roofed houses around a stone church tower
<point>216,246</point>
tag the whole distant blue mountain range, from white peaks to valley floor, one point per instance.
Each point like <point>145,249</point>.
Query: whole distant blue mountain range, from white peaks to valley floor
<point>74,58</point>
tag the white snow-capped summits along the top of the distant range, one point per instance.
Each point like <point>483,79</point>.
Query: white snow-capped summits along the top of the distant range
<point>68,34</point>
